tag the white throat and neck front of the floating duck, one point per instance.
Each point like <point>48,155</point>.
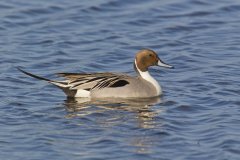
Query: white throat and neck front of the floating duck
<point>146,75</point>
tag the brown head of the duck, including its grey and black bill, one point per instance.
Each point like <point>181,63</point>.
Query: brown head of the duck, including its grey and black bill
<point>146,58</point>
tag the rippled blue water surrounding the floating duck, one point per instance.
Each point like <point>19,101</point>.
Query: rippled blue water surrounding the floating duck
<point>198,117</point>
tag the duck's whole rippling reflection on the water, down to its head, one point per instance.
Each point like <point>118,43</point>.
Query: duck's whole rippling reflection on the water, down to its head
<point>134,114</point>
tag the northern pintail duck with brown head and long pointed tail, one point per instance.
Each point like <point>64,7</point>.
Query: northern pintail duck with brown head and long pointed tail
<point>103,85</point>
